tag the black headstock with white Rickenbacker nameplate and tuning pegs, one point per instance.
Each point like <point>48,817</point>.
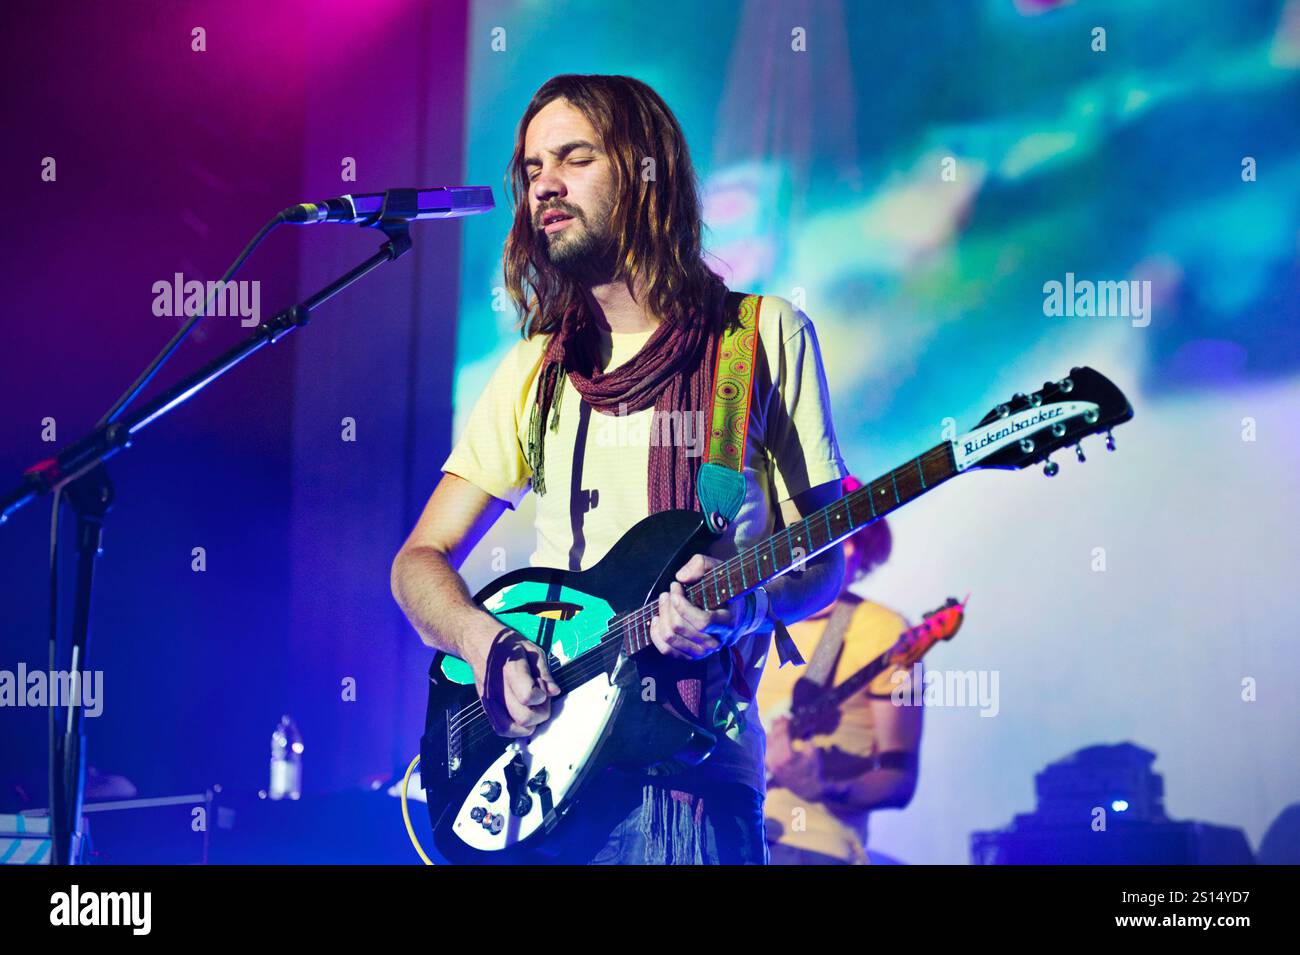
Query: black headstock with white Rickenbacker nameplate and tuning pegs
<point>1029,428</point>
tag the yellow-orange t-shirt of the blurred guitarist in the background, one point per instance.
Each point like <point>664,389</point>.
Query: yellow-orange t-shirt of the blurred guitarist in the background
<point>811,824</point>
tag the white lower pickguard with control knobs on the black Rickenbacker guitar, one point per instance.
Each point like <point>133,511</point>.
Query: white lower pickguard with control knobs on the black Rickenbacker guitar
<point>562,746</point>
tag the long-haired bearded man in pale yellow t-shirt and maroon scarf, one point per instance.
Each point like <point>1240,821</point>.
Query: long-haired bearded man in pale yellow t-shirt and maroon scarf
<point>621,322</point>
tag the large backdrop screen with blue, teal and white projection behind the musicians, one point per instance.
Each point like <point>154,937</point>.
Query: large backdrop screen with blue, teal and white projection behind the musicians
<point>915,176</point>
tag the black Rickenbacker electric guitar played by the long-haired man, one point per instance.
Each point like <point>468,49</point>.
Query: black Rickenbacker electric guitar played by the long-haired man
<point>495,800</point>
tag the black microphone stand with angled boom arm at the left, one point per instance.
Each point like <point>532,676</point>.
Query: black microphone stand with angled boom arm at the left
<point>80,472</point>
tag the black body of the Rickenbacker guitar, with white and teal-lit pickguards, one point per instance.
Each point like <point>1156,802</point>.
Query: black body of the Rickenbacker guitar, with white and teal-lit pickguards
<point>649,731</point>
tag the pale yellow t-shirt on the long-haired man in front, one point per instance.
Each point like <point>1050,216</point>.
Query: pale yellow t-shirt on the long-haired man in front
<point>597,487</point>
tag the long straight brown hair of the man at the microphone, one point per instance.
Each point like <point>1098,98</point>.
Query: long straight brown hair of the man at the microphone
<point>656,225</point>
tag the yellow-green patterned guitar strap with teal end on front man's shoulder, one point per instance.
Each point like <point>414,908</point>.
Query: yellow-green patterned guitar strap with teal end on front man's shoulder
<point>721,483</point>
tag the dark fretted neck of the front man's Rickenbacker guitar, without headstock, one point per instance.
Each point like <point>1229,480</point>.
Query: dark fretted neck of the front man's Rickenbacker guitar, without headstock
<point>796,545</point>
